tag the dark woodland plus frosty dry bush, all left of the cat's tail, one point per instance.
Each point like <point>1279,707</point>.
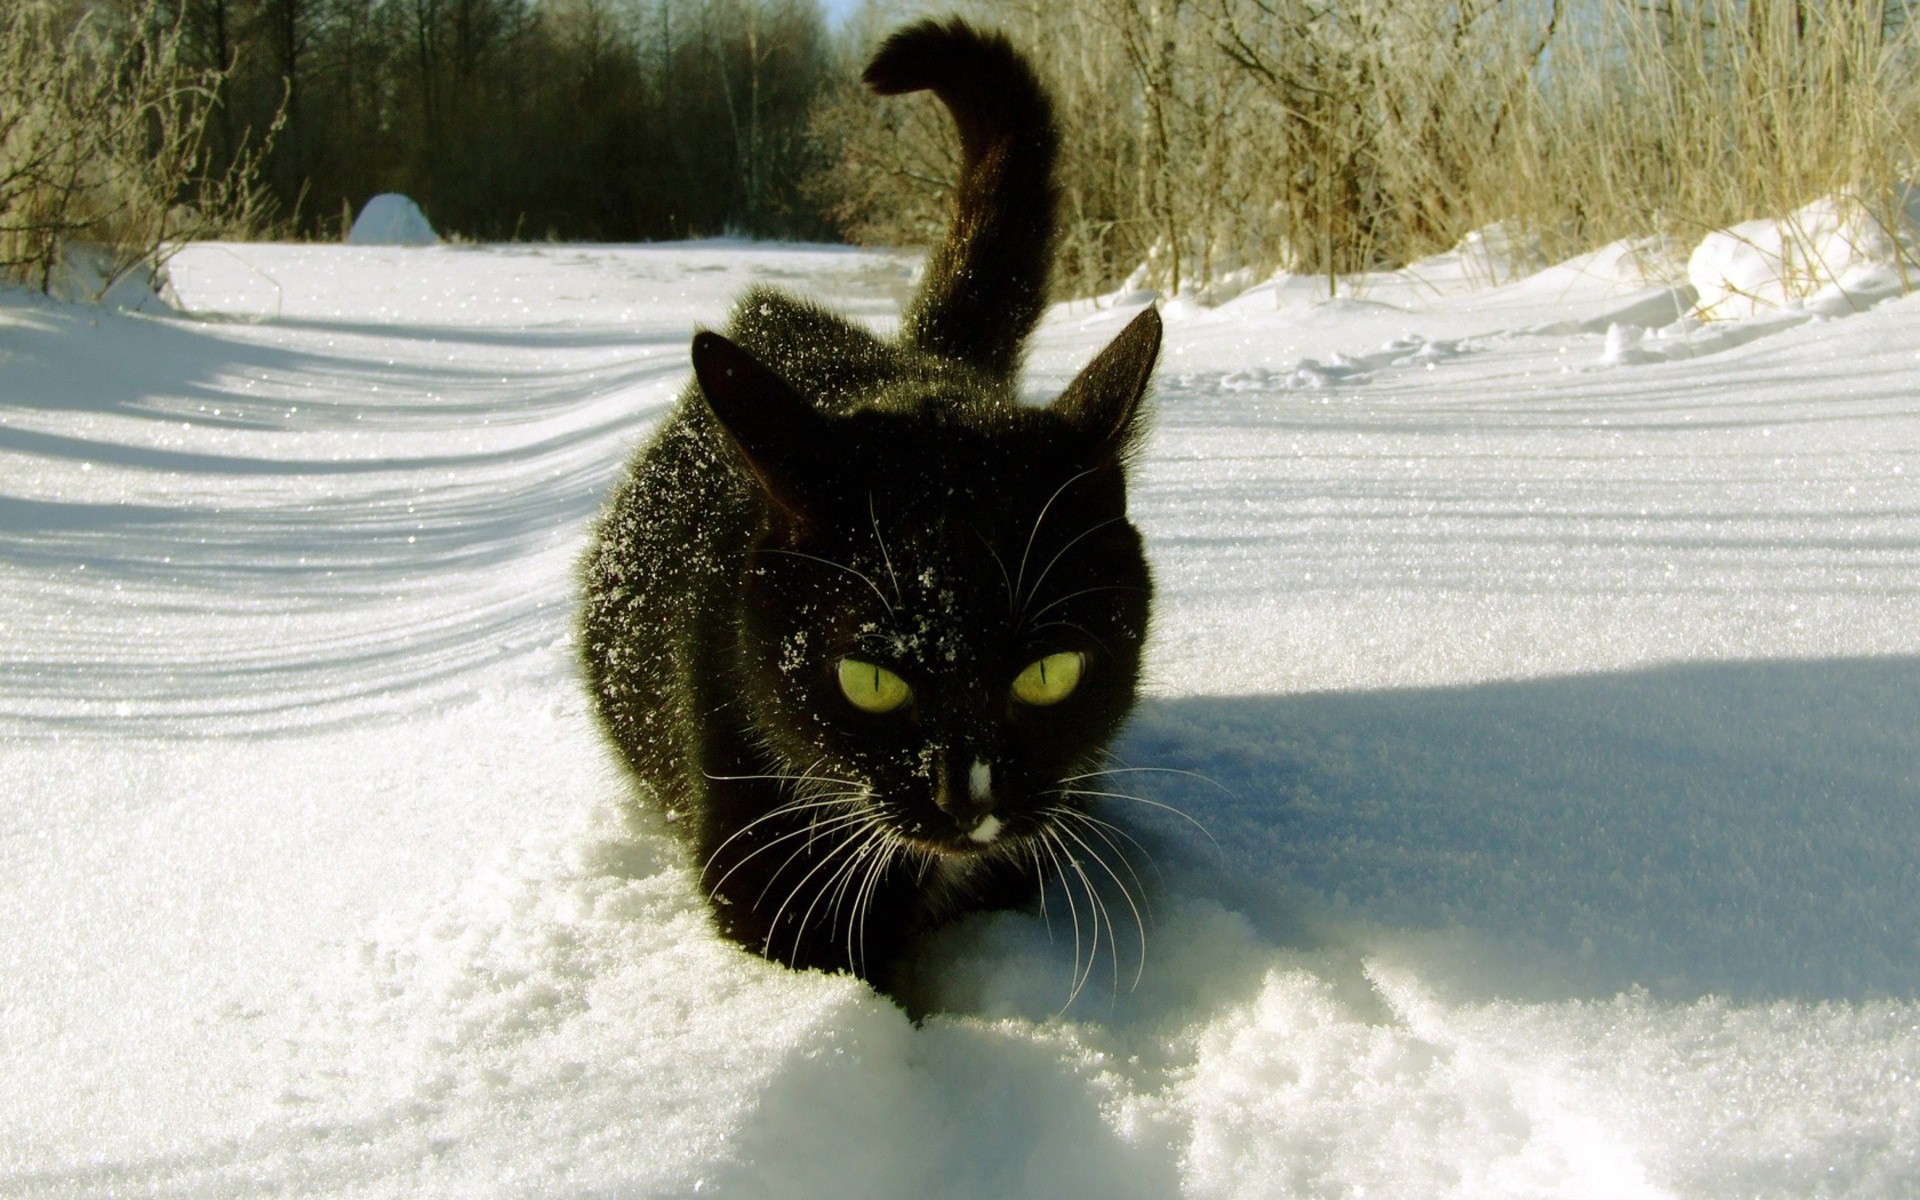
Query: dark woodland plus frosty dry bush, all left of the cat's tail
<point>132,126</point>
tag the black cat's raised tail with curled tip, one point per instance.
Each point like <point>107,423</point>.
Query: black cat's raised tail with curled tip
<point>986,285</point>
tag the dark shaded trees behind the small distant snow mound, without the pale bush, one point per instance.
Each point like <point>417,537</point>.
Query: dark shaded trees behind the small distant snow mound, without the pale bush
<point>583,120</point>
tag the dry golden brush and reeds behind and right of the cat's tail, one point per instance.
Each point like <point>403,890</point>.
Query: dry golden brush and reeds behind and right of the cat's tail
<point>1328,137</point>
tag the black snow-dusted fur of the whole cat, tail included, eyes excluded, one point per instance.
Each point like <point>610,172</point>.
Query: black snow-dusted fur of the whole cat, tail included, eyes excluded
<point>823,494</point>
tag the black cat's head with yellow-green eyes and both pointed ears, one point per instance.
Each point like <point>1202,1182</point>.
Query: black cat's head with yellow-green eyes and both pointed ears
<point>944,617</point>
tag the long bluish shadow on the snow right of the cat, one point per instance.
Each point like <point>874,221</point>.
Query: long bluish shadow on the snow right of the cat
<point>1735,828</point>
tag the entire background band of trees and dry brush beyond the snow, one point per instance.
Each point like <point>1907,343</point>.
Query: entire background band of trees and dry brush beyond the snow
<point>1207,141</point>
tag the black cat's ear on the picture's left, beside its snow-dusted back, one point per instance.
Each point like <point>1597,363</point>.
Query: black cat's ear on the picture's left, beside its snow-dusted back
<point>773,425</point>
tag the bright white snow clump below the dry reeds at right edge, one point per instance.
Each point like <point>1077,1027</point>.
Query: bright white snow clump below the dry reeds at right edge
<point>1835,256</point>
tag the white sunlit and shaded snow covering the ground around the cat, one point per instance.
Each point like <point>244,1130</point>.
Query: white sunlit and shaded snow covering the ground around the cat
<point>1552,661</point>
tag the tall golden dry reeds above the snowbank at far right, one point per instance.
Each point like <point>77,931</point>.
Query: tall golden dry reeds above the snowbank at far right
<point>1702,114</point>
